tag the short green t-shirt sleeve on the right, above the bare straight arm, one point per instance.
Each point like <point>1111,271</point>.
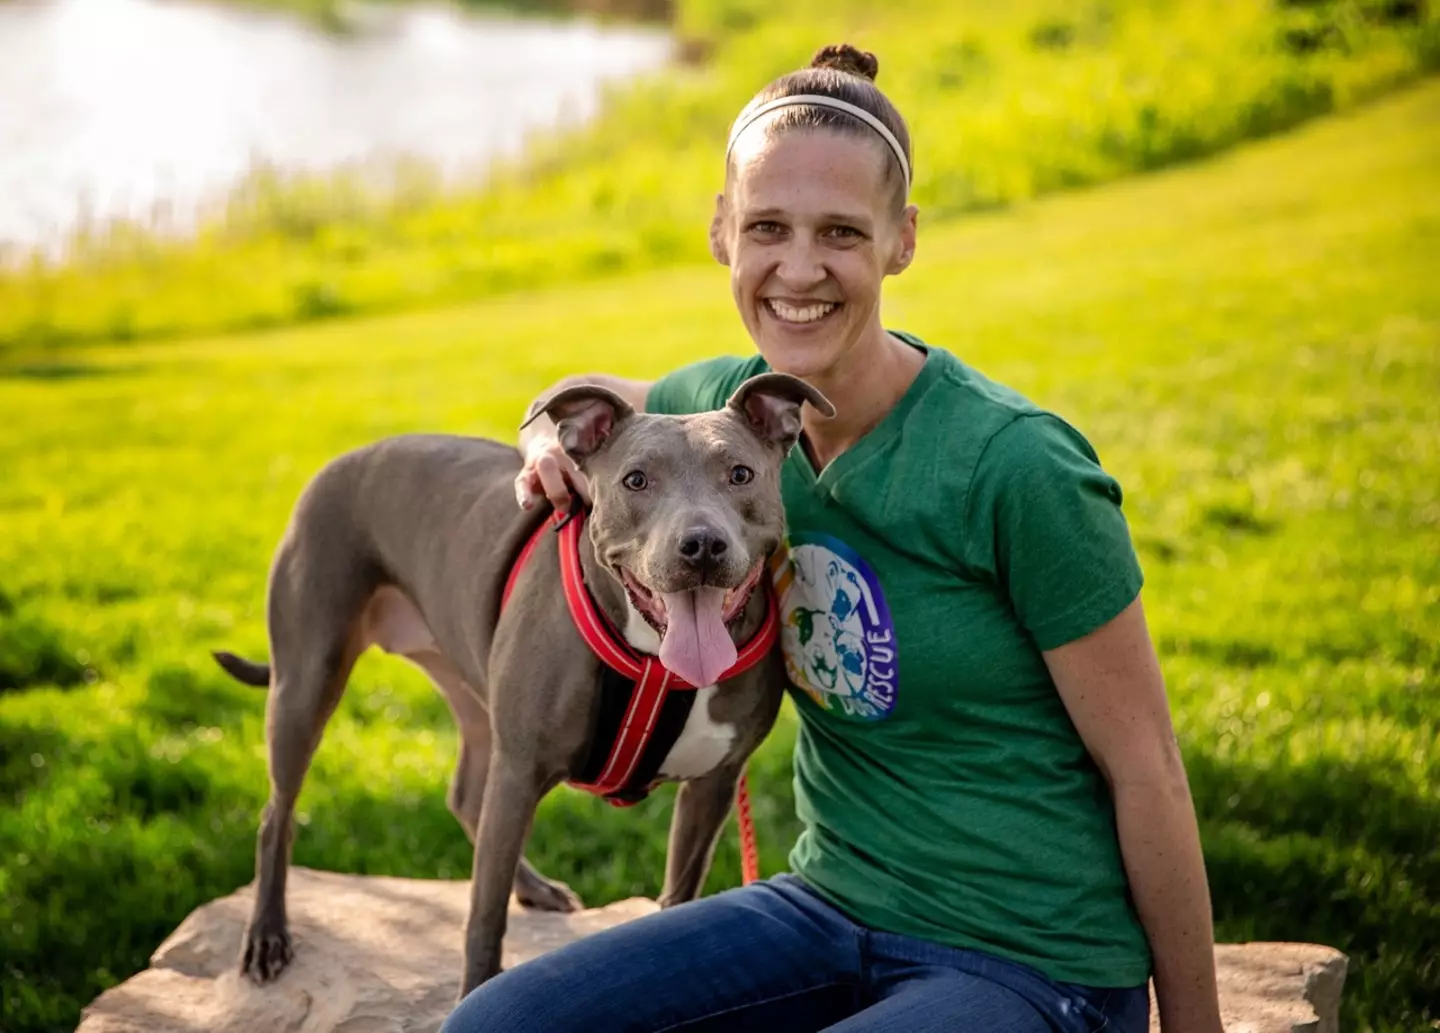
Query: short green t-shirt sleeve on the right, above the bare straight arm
<point>1045,519</point>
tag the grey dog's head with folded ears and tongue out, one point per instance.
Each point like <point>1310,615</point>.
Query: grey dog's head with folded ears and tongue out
<point>688,509</point>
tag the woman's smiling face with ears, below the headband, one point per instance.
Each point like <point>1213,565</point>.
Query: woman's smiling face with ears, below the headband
<point>810,228</point>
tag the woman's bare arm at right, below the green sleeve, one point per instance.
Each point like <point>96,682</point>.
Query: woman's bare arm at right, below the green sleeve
<point>1112,687</point>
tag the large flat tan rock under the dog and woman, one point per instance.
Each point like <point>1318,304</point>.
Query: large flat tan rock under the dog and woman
<point>382,956</point>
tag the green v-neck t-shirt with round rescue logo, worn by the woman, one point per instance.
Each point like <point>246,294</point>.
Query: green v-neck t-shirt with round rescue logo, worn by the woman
<point>944,790</point>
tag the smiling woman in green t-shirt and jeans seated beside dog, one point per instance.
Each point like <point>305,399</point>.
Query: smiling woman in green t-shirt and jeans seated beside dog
<point>999,832</point>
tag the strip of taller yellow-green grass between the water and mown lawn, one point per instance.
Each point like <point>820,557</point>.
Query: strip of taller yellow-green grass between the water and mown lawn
<point>1007,103</point>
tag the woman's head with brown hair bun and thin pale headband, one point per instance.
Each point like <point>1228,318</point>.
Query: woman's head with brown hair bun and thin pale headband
<point>797,223</point>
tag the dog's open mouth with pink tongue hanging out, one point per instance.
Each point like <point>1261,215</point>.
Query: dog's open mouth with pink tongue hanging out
<point>695,625</point>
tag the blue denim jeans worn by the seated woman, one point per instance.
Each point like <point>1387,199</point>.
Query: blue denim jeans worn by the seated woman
<point>775,957</point>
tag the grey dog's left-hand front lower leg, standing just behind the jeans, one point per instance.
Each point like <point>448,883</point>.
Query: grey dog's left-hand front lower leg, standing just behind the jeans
<point>512,793</point>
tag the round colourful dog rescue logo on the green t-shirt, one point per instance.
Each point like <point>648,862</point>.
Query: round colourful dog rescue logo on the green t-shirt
<point>836,632</point>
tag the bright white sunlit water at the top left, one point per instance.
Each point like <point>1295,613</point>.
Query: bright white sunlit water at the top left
<point>148,109</point>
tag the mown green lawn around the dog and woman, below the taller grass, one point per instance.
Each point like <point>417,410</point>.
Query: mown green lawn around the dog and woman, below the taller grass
<point>1252,344</point>
